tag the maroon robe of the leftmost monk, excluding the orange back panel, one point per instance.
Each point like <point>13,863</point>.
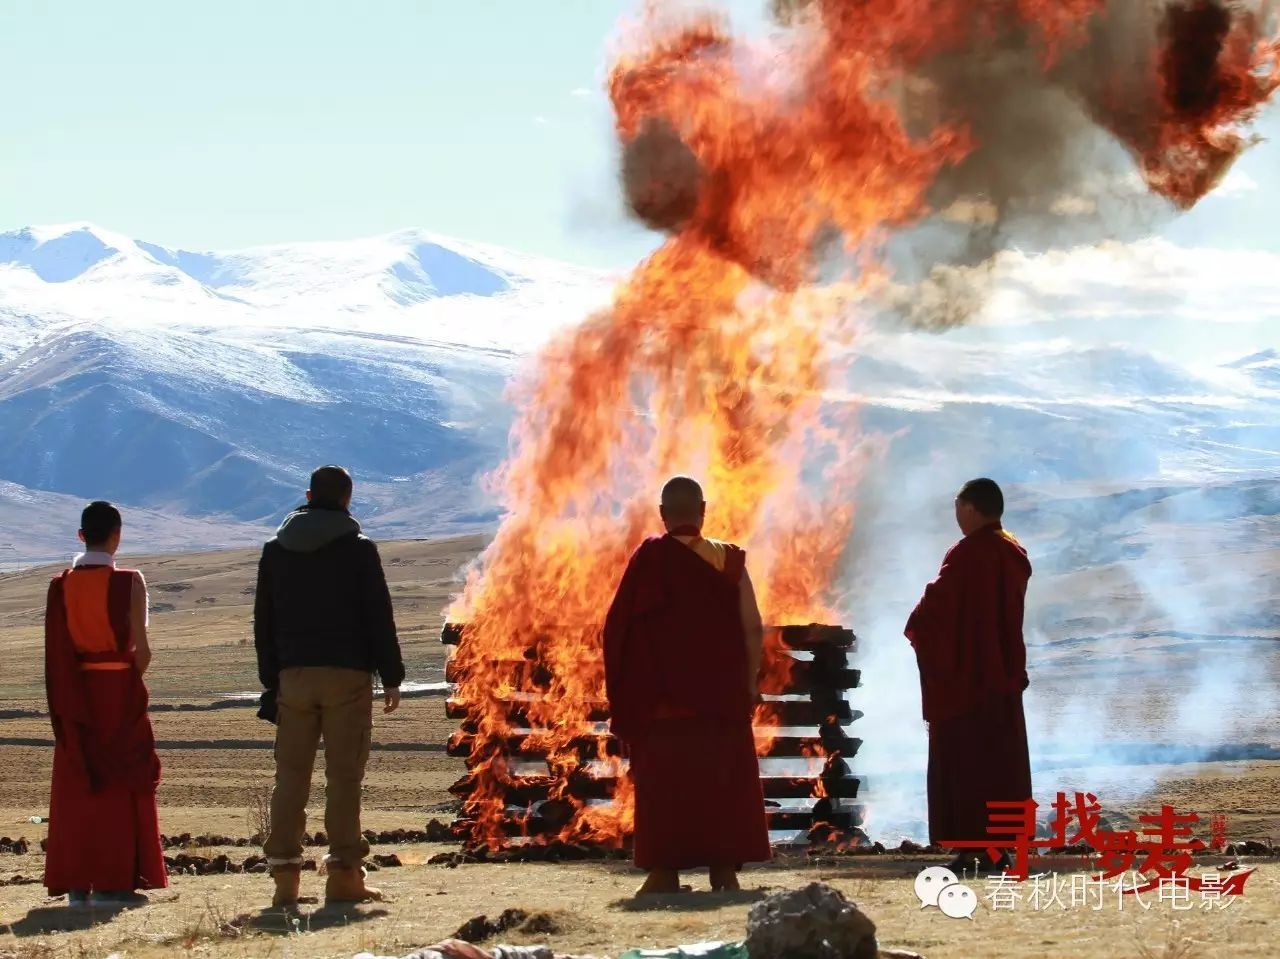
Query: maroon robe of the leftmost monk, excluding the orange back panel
<point>104,834</point>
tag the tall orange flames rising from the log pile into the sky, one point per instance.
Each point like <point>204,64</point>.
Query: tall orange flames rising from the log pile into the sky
<point>756,158</point>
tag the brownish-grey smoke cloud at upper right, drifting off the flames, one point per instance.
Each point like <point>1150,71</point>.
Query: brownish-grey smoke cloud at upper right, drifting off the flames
<point>1060,153</point>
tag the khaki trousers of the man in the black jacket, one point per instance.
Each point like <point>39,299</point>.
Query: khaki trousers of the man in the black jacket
<point>337,705</point>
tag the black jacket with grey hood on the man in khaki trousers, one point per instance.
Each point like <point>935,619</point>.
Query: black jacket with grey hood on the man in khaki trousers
<point>323,600</point>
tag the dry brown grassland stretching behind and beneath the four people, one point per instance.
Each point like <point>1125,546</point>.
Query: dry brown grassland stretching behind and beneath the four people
<point>218,759</point>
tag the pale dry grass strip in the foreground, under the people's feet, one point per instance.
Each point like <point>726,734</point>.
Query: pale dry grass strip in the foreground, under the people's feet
<point>588,908</point>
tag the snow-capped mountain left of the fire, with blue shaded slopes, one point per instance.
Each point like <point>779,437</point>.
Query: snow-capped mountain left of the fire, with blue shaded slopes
<point>208,385</point>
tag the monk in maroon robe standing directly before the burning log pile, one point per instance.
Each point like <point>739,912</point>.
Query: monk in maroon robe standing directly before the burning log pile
<point>683,646</point>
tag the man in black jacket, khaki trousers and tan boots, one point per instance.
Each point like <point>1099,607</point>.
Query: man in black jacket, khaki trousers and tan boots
<point>323,625</point>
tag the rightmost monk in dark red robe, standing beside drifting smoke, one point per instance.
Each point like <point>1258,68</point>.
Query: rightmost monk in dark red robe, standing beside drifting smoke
<point>968,637</point>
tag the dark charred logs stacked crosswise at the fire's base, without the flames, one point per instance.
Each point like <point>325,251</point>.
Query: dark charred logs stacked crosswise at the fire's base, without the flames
<point>803,723</point>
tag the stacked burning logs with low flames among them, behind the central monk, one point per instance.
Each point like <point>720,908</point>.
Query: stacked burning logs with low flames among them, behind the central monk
<point>529,783</point>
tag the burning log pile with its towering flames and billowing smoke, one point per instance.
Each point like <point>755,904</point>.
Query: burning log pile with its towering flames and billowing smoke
<point>772,165</point>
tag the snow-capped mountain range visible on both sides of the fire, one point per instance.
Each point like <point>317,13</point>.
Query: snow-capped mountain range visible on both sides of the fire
<point>205,386</point>
